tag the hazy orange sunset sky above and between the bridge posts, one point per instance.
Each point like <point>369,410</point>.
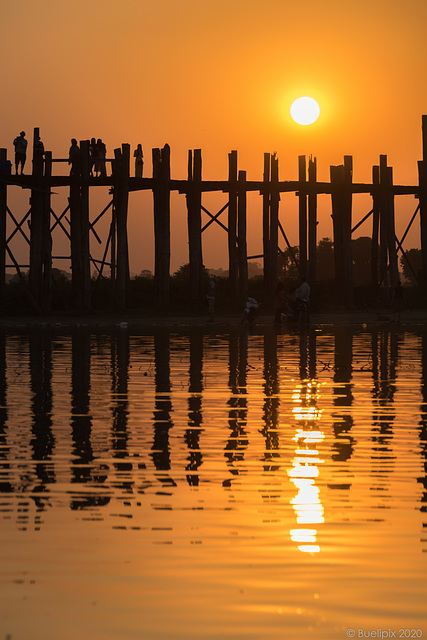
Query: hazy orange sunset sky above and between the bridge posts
<point>219,75</point>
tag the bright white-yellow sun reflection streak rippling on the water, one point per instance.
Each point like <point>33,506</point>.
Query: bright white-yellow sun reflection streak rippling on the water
<point>305,466</point>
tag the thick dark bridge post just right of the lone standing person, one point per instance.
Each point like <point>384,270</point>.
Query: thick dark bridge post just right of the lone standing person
<point>161,197</point>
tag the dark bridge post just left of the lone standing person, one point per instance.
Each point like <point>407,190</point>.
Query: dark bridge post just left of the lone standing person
<point>122,202</point>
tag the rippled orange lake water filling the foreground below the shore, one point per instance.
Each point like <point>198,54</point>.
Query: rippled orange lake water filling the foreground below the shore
<point>200,485</point>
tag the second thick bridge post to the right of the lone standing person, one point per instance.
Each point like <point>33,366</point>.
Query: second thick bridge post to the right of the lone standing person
<point>194,221</point>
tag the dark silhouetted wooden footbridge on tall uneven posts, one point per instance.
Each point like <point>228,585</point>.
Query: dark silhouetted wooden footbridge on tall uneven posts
<point>80,226</point>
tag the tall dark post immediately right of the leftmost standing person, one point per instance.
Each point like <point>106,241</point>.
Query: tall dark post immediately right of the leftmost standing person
<point>36,225</point>
